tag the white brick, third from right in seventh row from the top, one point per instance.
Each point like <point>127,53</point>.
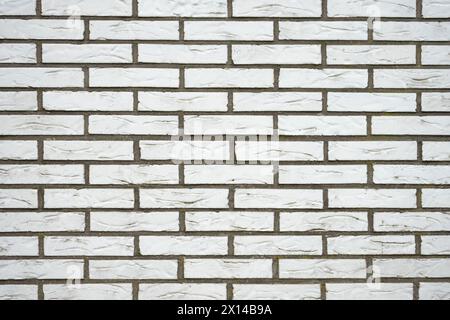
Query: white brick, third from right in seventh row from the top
<point>279,150</point>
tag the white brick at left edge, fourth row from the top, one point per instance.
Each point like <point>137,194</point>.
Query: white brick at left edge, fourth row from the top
<point>41,77</point>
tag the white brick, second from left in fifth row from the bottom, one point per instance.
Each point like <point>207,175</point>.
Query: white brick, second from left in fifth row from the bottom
<point>89,198</point>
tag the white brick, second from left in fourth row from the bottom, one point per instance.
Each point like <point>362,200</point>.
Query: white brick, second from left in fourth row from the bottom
<point>134,221</point>
